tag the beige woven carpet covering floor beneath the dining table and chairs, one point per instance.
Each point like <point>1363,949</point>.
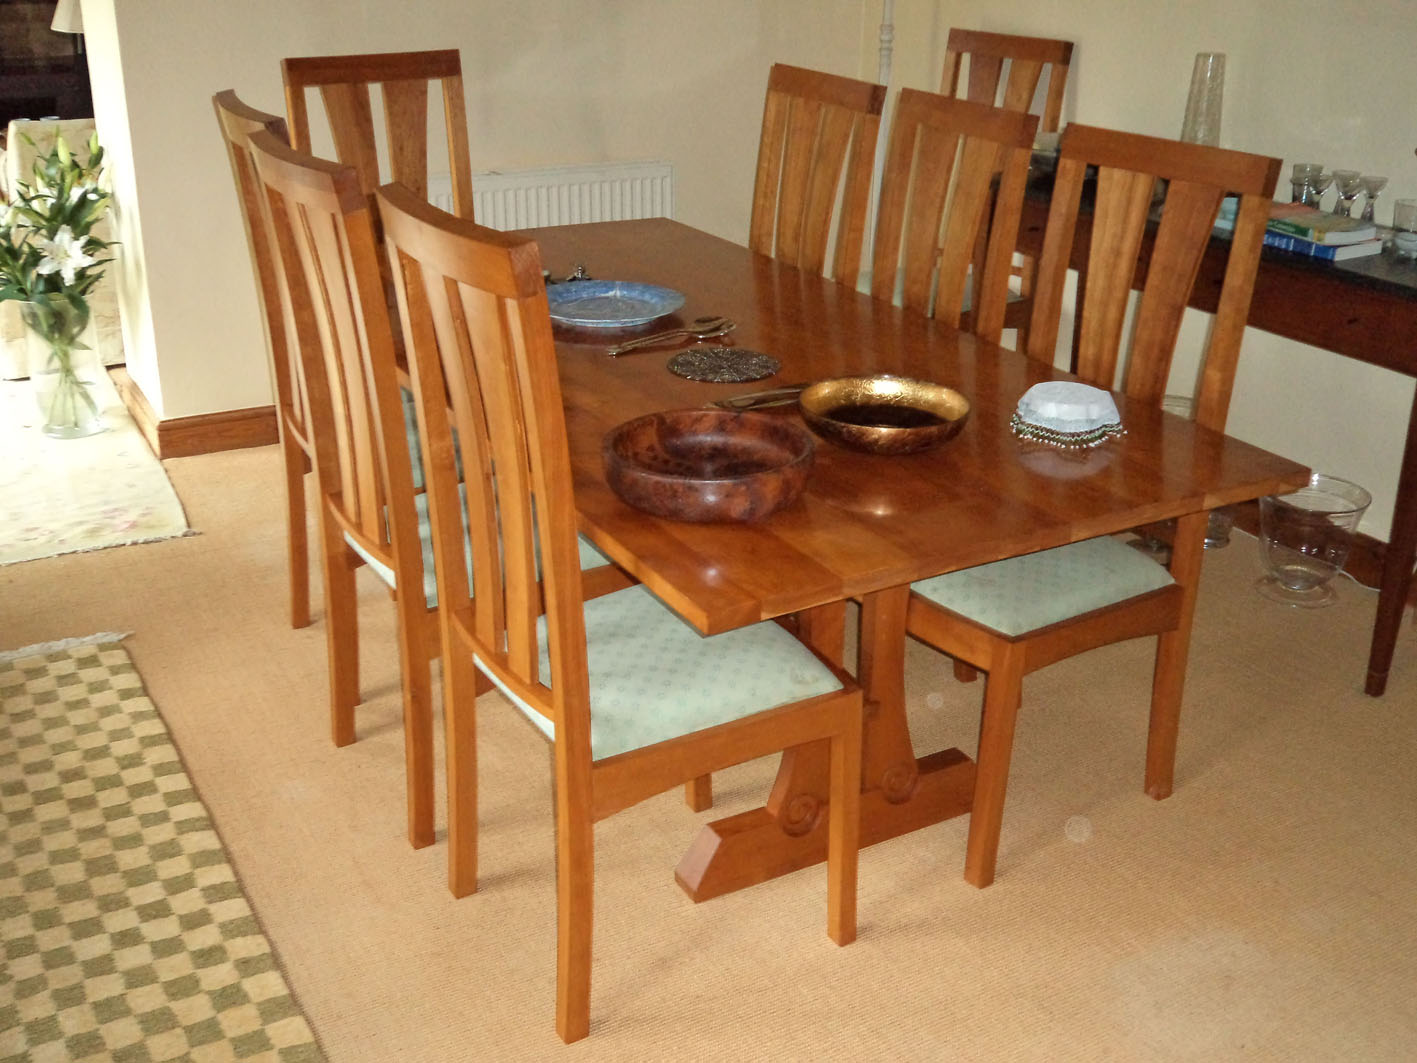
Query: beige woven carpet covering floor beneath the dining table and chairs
<point>1268,911</point>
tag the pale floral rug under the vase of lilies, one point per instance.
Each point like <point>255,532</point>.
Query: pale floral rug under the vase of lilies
<point>59,497</point>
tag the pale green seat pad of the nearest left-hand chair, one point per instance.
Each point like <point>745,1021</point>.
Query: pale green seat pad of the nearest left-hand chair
<point>654,678</point>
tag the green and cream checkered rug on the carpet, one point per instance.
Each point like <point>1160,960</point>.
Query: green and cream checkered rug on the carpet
<point>124,929</point>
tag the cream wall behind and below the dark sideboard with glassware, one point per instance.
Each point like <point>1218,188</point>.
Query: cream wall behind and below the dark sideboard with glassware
<point>1306,81</point>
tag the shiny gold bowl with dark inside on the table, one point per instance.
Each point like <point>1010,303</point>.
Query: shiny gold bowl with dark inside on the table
<point>883,415</point>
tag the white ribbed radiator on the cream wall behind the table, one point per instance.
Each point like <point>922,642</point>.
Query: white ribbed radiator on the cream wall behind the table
<point>566,195</point>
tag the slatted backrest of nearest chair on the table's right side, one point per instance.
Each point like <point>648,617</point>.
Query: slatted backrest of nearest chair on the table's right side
<point>1129,172</point>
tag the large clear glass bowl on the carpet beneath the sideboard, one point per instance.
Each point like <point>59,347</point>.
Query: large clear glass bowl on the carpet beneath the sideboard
<point>1306,538</point>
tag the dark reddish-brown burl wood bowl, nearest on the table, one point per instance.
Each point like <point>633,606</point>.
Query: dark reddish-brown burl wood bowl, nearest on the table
<point>708,466</point>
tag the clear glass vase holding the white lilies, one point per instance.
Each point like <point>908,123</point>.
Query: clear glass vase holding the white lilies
<point>64,366</point>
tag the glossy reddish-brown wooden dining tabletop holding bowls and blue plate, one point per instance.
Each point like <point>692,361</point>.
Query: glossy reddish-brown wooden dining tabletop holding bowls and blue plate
<point>865,522</point>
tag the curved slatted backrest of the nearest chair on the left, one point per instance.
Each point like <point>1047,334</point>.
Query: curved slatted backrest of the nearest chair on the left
<point>478,335</point>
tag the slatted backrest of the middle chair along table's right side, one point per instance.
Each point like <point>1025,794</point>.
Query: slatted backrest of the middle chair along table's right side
<point>939,199</point>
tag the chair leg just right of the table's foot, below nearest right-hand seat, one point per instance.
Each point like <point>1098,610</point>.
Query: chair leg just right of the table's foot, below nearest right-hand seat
<point>1001,711</point>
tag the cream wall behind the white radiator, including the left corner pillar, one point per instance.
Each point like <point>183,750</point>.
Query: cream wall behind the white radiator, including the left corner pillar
<point>548,81</point>
